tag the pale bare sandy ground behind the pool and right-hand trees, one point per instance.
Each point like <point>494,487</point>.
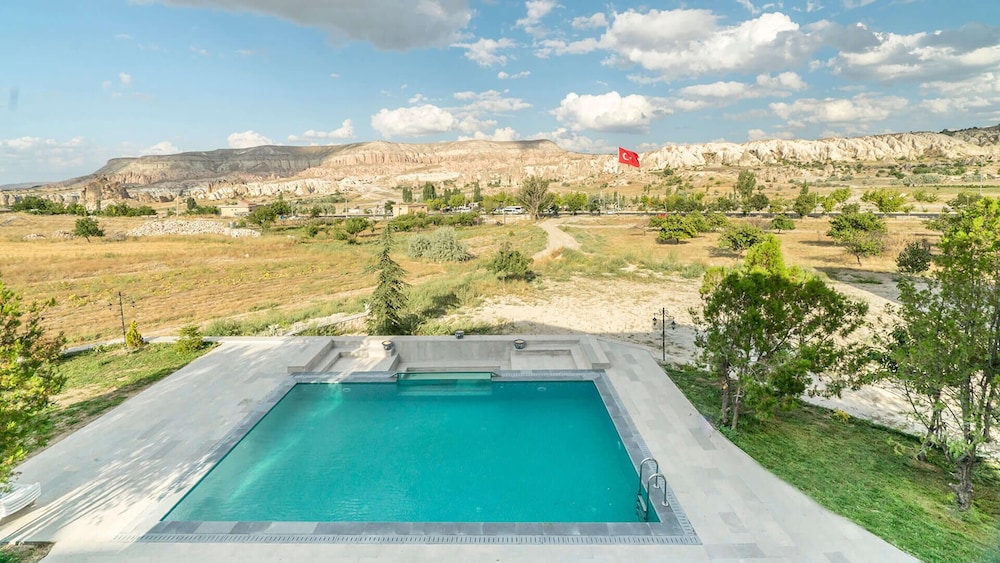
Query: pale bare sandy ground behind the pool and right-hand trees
<point>624,310</point>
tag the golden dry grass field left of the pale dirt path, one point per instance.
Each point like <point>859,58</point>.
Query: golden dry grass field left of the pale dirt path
<point>171,281</point>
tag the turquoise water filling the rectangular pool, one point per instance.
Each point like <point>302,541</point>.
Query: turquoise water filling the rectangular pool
<point>466,451</point>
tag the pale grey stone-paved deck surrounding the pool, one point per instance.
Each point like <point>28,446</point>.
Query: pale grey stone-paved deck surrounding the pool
<point>108,484</point>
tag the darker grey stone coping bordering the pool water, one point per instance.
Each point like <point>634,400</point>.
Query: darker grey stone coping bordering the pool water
<point>534,533</point>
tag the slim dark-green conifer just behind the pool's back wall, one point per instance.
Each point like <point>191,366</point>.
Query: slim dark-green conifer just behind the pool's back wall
<point>389,300</point>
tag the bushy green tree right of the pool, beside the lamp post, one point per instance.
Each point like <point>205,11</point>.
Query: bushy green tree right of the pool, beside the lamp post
<point>764,329</point>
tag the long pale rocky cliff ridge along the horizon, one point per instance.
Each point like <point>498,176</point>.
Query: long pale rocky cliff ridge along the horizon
<point>373,167</point>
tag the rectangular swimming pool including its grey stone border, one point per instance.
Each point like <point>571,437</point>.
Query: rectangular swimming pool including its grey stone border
<point>205,515</point>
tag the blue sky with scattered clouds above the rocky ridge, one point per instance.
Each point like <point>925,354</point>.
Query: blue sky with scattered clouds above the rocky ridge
<point>82,82</point>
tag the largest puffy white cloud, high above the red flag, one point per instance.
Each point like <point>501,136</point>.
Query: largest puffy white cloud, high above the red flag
<point>678,43</point>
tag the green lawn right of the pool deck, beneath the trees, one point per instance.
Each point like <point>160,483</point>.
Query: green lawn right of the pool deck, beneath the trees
<point>865,473</point>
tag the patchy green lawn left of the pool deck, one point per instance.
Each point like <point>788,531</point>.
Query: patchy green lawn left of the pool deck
<point>101,379</point>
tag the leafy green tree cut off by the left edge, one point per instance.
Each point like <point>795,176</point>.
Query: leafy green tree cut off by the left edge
<point>28,378</point>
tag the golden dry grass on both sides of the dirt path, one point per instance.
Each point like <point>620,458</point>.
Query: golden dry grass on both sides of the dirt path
<point>170,281</point>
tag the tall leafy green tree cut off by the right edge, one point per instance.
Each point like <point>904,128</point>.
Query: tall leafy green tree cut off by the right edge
<point>945,351</point>
